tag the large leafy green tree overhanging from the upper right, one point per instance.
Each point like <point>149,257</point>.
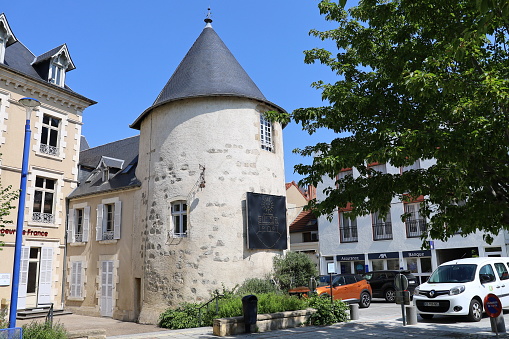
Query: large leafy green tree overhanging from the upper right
<point>417,79</point>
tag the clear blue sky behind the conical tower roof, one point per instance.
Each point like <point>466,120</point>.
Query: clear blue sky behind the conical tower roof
<point>125,52</point>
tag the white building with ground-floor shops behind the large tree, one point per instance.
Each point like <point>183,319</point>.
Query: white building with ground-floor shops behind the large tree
<point>371,243</point>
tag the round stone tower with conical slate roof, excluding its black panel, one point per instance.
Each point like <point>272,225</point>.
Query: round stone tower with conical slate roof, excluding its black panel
<point>203,145</point>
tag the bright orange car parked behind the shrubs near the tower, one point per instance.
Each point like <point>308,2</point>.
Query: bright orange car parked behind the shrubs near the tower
<point>351,288</point>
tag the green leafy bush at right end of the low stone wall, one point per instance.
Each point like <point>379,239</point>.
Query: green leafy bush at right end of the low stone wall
<point>327,313</point>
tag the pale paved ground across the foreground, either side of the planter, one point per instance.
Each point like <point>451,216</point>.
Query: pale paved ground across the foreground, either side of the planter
<point>381,320</point>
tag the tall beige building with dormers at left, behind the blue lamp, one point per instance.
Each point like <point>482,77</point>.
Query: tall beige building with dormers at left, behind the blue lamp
<point>52,171</point>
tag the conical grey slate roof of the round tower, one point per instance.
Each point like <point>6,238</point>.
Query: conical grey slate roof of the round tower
<point>208,69</point>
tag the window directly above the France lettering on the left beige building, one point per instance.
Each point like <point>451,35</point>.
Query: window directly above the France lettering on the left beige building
<point>43,200</point>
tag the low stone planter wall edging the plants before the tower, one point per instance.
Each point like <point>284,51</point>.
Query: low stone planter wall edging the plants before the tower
<point>265,322</point>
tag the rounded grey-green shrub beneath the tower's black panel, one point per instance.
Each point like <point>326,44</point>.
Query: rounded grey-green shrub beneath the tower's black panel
<point>293,269</point>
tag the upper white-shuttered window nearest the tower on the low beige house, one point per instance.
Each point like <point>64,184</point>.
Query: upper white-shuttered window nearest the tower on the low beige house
<point>108,220</point>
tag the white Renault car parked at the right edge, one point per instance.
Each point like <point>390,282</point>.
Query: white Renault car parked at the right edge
<point>458,287</point>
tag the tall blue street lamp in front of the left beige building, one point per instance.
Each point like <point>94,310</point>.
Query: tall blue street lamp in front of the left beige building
<point>29,104</point>
